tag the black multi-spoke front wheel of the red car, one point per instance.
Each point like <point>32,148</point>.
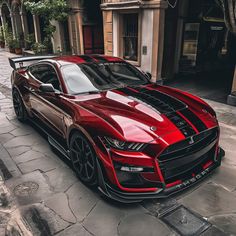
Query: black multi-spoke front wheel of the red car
<point>83,159</point>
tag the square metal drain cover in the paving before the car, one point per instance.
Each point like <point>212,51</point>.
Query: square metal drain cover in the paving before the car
<point>185,222</point>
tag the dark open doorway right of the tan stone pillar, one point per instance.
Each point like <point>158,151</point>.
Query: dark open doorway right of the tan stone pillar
<point>208,52</point>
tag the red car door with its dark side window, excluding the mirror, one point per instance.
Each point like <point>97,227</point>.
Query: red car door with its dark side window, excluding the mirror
<point>46,106</point>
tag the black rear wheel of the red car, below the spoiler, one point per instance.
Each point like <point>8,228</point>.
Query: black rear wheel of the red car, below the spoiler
<point>19,106</point>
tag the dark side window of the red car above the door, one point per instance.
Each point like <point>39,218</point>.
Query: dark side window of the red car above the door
<point>46,74</point>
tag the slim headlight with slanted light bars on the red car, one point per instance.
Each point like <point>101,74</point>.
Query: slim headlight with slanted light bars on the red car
<point>121,145</point>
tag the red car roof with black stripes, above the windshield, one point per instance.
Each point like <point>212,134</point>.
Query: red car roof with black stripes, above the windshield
<point>79,59</point>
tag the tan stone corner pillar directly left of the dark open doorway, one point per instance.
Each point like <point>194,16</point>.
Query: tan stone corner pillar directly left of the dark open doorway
<point>158,40</point>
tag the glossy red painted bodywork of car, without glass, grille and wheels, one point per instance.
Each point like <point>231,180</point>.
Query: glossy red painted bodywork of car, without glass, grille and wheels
<point>120,116</point>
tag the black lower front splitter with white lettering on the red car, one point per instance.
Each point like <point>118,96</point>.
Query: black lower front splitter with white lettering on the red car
<point>129,197</point>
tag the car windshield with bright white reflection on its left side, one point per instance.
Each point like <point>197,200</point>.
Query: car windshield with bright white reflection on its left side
<point>94,77</point>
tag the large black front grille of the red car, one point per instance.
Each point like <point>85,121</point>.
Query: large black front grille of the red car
<point>180,160</point>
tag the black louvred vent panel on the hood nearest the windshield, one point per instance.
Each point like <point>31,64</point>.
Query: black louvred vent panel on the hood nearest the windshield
<point>158,100</point>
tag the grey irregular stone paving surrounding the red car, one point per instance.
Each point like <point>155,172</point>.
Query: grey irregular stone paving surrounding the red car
<point>42,196</point>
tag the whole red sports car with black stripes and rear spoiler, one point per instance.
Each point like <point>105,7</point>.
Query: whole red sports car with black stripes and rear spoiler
<point>132,138</point>
